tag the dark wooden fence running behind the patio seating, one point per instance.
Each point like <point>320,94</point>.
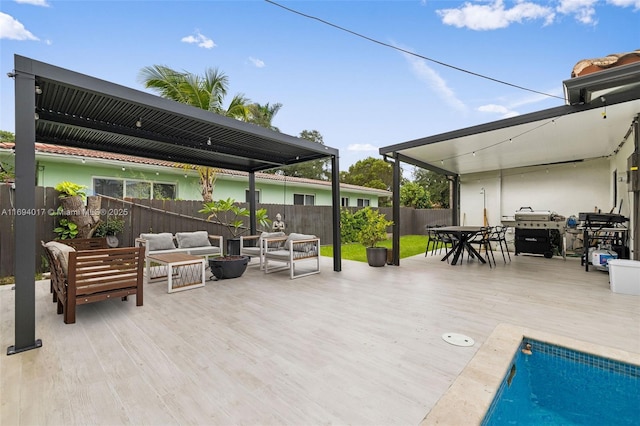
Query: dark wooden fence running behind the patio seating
<point>182,216</point>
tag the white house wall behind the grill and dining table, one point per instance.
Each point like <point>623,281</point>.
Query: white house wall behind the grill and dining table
<point>566,189</point>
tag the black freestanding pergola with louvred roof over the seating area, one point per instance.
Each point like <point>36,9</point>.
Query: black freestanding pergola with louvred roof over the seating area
<point>61,107</point>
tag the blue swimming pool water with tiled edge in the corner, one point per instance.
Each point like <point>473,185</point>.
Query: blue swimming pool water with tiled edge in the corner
<point>560,386</point>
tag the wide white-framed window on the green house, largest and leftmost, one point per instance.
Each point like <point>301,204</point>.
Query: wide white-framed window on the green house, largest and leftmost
<point>120,188</point>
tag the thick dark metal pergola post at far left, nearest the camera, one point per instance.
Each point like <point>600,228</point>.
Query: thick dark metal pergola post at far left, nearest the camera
<point>25,214</point>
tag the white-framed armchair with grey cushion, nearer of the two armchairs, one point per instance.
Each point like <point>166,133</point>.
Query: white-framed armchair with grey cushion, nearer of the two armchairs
<point>296,248</point>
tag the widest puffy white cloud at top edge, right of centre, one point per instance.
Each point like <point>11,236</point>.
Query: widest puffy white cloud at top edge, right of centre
<point>492,16</point>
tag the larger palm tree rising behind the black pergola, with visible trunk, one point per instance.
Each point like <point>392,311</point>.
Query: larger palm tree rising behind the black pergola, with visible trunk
<point>206,92</point>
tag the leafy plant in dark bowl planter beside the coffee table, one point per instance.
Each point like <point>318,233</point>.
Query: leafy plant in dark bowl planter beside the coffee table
<point>229,214</point>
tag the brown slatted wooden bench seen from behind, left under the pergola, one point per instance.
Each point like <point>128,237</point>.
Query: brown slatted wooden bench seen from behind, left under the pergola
<point>87,276</point>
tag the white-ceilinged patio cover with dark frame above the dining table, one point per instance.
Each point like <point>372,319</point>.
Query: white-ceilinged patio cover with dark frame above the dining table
<point>577,131</point>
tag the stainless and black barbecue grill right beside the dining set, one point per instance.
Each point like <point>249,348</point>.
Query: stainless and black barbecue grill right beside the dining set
<point>539,232</point>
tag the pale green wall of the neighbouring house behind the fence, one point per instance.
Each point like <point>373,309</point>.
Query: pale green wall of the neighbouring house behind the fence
<point>52,171</point>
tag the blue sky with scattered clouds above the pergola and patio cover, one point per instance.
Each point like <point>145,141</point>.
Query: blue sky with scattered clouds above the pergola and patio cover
<point>365,74</point>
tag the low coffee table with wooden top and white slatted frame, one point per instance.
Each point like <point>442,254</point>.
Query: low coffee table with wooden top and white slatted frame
<point>183,271</point>
